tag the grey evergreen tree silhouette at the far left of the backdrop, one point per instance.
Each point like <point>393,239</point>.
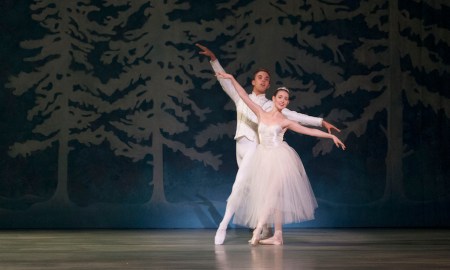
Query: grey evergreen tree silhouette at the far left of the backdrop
<point>61,83</point>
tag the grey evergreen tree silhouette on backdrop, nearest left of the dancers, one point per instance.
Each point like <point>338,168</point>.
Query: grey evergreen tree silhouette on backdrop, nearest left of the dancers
<point>155,83</point>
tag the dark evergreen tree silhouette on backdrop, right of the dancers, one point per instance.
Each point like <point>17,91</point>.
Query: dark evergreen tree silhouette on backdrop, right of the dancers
<point>394,82</point>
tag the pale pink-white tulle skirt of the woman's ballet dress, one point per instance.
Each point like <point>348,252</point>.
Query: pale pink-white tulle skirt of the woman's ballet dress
<point>272,181</point>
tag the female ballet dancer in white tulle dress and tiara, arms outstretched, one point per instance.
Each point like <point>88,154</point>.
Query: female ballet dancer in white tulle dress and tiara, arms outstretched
<point>278,190</point>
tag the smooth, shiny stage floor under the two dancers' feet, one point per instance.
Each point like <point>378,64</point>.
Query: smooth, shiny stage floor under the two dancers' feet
<point>194,249</point>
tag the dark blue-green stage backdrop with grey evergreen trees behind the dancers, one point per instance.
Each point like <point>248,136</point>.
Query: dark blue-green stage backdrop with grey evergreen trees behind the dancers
<point>111,119</point>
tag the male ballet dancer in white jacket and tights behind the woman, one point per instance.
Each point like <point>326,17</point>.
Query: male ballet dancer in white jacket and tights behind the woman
<point>246,134</point>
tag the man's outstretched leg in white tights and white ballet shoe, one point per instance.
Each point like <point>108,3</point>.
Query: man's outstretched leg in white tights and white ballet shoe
<point>244,151</point>
